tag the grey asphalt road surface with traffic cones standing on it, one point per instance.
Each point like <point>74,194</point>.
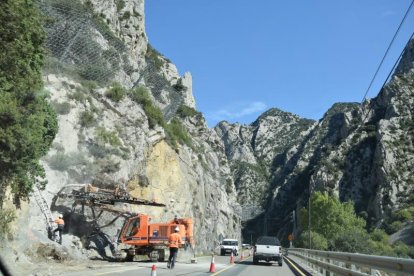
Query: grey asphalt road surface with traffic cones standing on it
<point>202,267</point>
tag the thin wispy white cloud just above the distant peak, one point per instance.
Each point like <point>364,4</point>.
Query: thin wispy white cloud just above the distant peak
<point>237,111</point>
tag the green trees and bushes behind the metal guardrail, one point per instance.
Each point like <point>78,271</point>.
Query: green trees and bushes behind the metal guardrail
<point>336,227</point>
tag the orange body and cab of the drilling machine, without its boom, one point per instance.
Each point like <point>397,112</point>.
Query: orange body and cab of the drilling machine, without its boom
<point>145,237</point>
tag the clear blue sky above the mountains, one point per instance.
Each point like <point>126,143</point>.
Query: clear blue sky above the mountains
<point>299,56</point>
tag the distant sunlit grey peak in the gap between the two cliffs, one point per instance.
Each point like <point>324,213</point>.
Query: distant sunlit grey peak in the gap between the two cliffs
<point>254,149</point>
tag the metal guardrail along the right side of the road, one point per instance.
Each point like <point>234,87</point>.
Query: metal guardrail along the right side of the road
<point>353,263</point>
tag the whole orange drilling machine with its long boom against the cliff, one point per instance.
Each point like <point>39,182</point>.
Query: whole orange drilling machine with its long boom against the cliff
<point>138,235</point>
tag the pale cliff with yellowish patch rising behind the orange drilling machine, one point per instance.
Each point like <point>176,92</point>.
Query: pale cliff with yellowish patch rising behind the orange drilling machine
<point>125,117</point>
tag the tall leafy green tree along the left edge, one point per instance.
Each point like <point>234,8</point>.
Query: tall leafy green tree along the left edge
<point>28,122</point>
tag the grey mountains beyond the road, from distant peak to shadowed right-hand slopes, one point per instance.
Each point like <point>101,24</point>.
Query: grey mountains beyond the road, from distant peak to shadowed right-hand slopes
<point>359,152</point>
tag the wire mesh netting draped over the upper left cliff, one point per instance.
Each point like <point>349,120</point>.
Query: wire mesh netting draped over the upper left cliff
<point>80,44</point>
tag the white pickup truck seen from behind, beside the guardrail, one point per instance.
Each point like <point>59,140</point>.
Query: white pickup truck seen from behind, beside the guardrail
<point>267,249</point>
